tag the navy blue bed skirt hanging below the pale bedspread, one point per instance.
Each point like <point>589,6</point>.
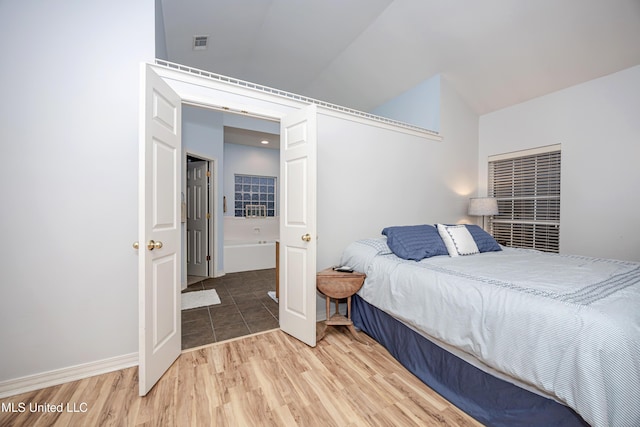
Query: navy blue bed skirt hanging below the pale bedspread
<point>490,400</point>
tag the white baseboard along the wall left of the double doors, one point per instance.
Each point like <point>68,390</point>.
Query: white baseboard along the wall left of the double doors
<point>61,376</point>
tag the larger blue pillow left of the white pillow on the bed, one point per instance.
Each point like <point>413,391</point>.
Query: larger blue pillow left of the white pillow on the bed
<point>415,242</point>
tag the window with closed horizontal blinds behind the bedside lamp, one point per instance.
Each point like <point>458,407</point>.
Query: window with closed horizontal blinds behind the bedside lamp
<point>527,186</point>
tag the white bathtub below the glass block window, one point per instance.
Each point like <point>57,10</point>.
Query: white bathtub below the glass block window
<point>247,255</point>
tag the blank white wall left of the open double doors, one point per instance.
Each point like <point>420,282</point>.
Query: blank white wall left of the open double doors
<point>69,168</point>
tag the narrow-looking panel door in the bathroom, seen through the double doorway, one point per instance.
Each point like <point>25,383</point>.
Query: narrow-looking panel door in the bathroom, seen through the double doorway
<point>197,223</point>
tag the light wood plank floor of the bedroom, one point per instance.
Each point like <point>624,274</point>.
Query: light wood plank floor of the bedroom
<point>269,379</point>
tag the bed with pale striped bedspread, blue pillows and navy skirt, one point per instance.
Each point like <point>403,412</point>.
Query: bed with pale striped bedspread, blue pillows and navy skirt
<point>511,336</point>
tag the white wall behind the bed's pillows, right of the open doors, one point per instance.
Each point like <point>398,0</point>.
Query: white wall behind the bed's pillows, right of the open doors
<point>370,178</point>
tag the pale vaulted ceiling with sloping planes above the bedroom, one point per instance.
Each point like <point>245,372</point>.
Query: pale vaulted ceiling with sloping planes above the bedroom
<point>361,53</point>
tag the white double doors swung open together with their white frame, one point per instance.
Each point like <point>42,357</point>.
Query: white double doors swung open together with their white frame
<point>161,103</point>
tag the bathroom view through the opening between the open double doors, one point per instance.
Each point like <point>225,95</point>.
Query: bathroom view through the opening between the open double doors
<point>249,147</point>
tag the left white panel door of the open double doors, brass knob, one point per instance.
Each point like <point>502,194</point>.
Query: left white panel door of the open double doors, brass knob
<point>159,229</point>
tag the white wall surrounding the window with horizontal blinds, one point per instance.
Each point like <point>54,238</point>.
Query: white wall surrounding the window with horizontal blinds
<point>598,125</point>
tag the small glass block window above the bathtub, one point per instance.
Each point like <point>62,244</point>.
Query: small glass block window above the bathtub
<point>255,196</point>
